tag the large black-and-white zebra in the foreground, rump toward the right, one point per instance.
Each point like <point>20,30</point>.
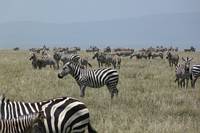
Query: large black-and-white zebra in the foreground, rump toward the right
<point>62,115</point>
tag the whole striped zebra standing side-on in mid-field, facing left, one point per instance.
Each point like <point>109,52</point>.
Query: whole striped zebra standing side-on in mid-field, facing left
<point>92,78</point>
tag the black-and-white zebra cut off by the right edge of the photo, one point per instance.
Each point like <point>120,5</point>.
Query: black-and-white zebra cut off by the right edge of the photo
<point>195,70</point>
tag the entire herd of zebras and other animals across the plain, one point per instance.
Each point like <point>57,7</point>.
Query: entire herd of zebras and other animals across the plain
<point>67,114</point>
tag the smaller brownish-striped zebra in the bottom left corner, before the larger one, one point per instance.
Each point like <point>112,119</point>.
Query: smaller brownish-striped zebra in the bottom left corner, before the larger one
<point>22,124</point>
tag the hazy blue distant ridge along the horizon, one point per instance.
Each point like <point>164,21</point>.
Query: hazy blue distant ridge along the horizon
<point>181,29</point>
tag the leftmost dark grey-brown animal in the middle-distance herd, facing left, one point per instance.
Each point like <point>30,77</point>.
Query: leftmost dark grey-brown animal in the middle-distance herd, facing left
<point>39,63</point>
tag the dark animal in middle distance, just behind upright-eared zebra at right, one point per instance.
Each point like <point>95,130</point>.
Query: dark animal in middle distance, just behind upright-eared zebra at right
<point>173,58</point>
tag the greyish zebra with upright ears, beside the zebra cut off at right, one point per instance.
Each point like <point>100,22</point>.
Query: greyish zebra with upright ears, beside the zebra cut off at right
<point>183,72</point>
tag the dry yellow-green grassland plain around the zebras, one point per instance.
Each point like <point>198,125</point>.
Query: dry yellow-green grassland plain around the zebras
<point>148,101</point>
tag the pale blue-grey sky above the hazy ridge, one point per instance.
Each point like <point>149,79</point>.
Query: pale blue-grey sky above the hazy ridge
<point>67,11</point>
